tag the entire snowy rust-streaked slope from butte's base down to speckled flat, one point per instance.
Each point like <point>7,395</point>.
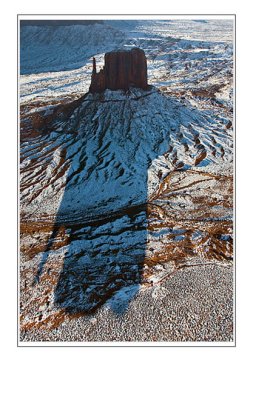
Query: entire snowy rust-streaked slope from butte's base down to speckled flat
<point>114,197</point>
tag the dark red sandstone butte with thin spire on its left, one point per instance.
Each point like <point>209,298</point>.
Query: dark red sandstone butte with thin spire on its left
<point>122,70</point>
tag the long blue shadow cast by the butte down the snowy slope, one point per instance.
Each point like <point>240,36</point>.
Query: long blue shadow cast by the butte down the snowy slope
<point>104,205</point>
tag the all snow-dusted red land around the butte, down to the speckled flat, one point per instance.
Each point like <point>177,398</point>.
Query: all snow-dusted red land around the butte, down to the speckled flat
<point>121,190</point>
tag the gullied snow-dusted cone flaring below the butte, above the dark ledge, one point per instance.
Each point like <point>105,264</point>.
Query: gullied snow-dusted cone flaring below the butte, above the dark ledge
<point>114,146</point>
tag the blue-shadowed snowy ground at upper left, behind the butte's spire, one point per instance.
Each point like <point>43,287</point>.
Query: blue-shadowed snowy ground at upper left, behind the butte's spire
<point>50,48</point>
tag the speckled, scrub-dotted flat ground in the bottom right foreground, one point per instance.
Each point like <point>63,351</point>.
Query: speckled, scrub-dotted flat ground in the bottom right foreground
<point>194,304</point>
